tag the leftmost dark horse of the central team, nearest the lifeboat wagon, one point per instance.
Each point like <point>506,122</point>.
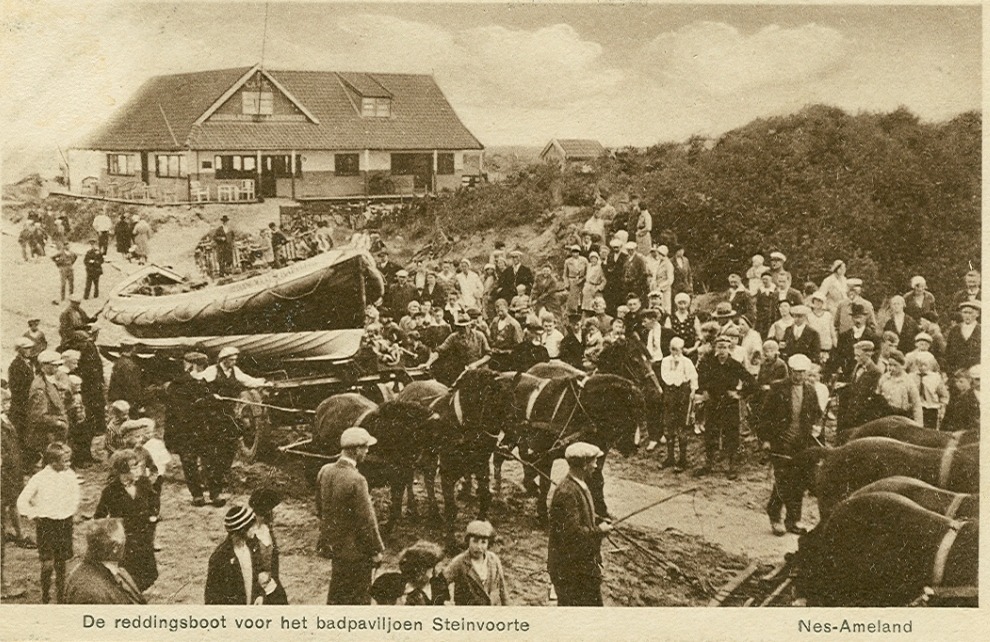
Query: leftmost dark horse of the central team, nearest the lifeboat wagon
<point>404,433</point>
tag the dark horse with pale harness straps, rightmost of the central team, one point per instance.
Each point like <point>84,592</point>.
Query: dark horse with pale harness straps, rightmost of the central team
<point>544,416</point>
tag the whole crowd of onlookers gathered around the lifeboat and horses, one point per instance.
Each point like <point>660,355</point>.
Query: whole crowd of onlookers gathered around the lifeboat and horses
<point>767,360</point>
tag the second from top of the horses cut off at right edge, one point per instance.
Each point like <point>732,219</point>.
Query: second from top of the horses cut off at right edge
<point>842,470</point>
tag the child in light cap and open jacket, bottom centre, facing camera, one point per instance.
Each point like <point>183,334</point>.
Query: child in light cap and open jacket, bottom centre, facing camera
<point>475,577</point>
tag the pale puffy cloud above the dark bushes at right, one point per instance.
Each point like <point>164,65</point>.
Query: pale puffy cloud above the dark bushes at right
<point>720,60</point>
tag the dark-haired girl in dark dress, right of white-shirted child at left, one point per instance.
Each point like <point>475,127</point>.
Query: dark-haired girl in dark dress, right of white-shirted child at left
<point>131,497</point>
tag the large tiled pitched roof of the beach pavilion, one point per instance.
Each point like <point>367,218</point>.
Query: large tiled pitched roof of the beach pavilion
<point>163,115</point>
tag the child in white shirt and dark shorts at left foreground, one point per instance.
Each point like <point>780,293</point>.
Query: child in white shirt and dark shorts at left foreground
<point>51,498</point>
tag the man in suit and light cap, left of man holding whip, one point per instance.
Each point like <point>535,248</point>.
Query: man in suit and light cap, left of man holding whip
<point>348,527</point>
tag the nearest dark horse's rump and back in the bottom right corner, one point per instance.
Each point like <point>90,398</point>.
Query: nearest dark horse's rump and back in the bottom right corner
<point>882,549</point>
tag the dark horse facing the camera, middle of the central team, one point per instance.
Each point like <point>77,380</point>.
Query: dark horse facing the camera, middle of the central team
<point>464,432</point>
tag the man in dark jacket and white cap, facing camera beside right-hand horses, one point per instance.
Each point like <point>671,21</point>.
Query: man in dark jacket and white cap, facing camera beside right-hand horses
<point>789,413</point>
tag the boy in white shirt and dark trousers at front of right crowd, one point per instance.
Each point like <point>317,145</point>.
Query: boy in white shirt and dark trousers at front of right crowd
<point>680,381</point>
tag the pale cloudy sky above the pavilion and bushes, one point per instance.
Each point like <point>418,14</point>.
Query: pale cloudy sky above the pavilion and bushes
<point>516,74</point>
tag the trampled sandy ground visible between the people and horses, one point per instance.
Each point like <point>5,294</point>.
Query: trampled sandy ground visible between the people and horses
<point>703,536</point>
